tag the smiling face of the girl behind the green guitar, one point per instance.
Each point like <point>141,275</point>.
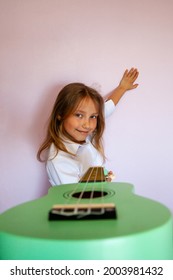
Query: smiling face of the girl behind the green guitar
<point>83,121</point>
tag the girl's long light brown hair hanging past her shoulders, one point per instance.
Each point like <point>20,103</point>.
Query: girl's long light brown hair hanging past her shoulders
<point>66,103</point>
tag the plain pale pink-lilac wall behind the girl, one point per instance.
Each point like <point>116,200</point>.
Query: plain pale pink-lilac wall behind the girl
<point>45,44</point>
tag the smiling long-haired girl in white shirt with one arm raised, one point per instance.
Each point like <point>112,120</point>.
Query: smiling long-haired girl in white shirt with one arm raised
<point>76,126</point>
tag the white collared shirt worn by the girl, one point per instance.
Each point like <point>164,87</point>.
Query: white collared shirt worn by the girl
<point>65,168</point>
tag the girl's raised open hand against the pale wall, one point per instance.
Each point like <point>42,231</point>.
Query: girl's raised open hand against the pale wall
<point>128,80</point>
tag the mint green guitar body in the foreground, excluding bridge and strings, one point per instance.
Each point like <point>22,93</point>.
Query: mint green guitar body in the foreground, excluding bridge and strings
<point>143,229</point>
